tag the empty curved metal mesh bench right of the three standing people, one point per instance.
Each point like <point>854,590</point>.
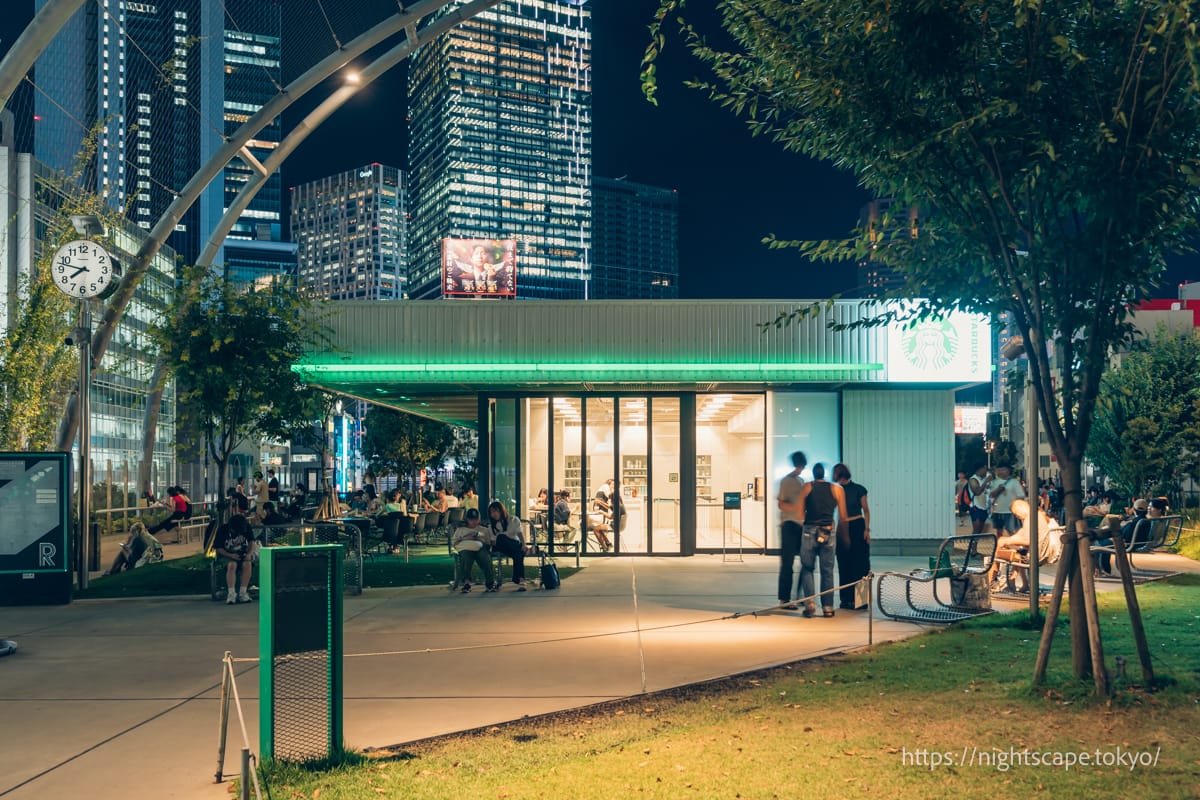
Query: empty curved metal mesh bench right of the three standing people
<point>929,596</point>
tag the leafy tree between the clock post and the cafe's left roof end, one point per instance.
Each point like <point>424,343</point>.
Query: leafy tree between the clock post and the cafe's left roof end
<point>233,353</point>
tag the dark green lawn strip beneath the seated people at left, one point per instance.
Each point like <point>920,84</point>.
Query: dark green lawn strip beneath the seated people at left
<point>190,576</point>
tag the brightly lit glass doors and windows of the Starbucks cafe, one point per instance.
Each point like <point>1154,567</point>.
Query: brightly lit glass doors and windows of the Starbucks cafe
<point>668,459</point>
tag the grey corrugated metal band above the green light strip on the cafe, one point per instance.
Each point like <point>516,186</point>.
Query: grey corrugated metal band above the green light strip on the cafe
<point>603,332</point>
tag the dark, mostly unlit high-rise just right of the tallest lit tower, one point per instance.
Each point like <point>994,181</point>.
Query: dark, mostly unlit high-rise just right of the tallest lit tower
<point>635,240</point>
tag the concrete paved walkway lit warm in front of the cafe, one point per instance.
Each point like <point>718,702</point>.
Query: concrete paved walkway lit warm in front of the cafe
<point>121,699</point>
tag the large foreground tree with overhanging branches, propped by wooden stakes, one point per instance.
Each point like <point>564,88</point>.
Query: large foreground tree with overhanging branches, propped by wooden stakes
<point>1052,149</point>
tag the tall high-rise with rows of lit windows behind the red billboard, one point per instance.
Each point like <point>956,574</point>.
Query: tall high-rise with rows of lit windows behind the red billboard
<point>501,146</point>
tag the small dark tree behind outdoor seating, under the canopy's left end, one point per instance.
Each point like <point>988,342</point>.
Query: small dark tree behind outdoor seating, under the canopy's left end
<point>401,443</point>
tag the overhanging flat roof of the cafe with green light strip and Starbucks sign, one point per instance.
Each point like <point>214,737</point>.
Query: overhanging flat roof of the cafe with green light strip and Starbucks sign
<point>434,358</point>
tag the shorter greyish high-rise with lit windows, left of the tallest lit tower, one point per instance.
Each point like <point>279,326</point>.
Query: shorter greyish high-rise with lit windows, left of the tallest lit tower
<point>350,231</point>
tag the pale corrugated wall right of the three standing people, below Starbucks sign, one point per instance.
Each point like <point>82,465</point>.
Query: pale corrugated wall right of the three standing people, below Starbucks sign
<point>901,446</point>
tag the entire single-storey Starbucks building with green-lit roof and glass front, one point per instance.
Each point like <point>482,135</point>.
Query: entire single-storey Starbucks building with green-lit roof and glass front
<point>673,407</point>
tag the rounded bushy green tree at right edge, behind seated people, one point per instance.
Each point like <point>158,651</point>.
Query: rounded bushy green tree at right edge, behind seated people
<point>1147,436</point>
